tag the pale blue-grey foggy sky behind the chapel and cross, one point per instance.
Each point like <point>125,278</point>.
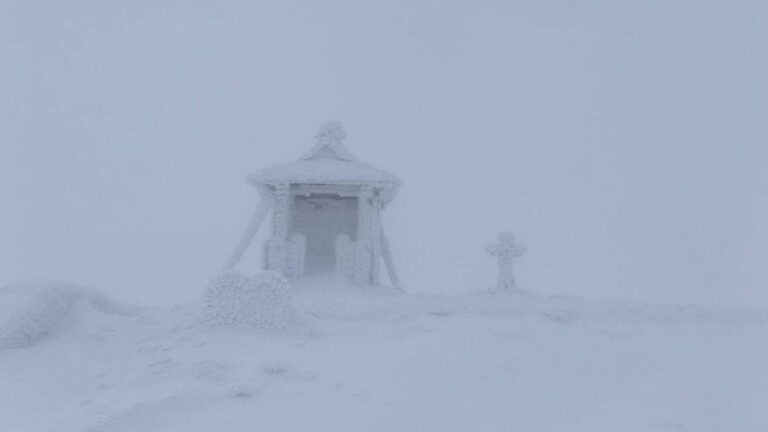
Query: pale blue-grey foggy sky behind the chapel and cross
<point>624,142</point>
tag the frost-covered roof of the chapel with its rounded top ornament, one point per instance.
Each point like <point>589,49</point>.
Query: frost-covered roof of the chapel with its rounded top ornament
<point>327,162</point>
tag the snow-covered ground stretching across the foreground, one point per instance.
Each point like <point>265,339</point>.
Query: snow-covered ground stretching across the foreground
<point>379,361</point>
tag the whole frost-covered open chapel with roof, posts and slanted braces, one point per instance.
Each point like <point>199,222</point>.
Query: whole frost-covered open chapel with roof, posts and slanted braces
<point>326,214</point>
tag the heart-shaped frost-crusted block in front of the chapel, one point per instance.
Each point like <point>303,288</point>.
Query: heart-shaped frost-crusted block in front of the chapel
<point>263,300</point>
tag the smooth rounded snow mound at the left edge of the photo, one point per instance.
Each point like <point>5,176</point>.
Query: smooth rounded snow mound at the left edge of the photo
<point>32,311</point>
